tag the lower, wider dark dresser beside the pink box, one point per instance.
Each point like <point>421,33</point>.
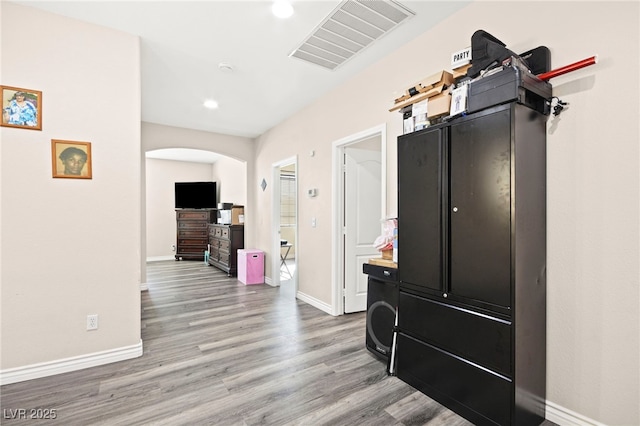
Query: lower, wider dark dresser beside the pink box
<point>224,242</point>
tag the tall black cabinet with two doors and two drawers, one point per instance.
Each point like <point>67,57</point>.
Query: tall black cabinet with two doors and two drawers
<point>472,259</point>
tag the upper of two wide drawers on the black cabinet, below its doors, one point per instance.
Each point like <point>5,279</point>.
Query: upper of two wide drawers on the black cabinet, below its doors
<point>477,337</point>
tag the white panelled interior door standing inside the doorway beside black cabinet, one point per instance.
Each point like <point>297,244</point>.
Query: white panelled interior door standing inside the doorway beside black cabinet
<point>362,209</point>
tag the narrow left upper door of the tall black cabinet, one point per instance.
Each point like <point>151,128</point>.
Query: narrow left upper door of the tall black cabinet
<point>420,209</point>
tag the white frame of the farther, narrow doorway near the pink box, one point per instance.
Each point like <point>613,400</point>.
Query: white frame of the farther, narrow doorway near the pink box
<point>275,221</point>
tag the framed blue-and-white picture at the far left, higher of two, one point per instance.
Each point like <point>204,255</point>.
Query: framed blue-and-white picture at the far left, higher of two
<point>21,108</point>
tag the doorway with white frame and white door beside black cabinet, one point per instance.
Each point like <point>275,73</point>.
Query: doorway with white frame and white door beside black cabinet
<point>359,200</point>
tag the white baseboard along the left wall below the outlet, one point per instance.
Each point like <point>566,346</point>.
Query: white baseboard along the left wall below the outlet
<point>45,369</point>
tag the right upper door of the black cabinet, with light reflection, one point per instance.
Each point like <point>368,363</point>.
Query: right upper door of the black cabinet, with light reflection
<point>480,208</point>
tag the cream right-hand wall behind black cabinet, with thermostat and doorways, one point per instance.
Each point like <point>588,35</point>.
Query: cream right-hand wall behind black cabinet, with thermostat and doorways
<point>593,187</point>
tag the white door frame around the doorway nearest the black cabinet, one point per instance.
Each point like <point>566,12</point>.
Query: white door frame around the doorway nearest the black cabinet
<point>337,248</point>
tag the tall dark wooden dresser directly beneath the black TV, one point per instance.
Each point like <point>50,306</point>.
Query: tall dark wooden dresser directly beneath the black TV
<point>192,232</point>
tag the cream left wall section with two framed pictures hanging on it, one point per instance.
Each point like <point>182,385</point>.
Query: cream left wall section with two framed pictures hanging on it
<point>70,247</point>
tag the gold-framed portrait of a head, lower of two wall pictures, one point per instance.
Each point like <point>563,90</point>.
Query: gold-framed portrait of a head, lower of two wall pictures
<point>71,159</point>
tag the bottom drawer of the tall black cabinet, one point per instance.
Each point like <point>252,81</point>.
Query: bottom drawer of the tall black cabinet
<point>485,397</point>
